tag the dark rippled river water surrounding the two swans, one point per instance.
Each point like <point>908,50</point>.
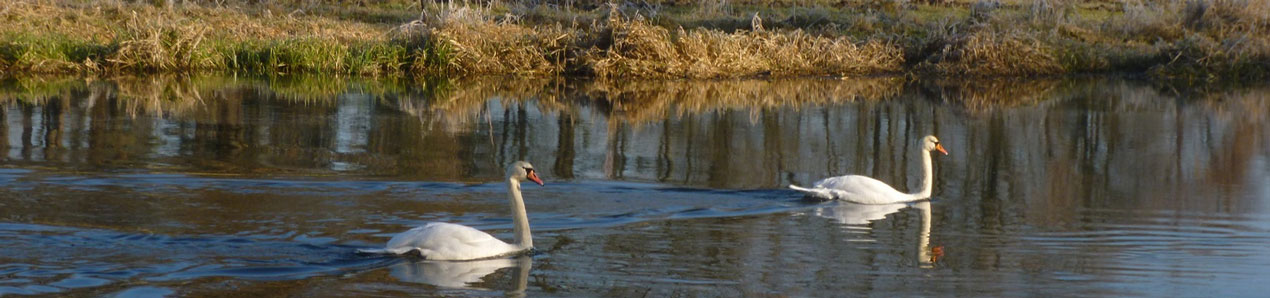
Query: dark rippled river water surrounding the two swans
<point>267,187</point>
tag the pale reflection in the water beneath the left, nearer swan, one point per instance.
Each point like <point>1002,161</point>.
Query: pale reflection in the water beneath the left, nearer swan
<point>463,275</point>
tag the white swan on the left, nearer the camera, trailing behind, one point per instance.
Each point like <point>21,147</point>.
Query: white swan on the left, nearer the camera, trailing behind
<point>457,243</point>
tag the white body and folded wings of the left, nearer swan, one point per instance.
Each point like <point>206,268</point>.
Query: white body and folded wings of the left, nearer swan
<point>446,242</point>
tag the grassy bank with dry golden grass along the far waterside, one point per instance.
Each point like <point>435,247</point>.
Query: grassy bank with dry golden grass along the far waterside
<point>1197,40</point>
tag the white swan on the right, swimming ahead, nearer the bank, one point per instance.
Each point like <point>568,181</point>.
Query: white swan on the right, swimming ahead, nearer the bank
<point>868,191</point>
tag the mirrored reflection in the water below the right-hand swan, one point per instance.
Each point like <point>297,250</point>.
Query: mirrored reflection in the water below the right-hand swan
<point>862,215</point>
